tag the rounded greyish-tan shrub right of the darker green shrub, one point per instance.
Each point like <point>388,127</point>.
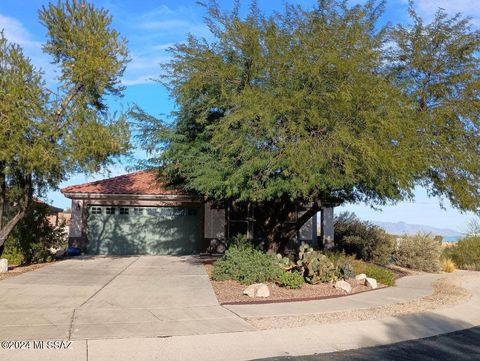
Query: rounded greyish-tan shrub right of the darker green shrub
<point>419,252</point>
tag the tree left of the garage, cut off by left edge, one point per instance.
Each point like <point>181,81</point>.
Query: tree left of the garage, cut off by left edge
<point>46,134</point>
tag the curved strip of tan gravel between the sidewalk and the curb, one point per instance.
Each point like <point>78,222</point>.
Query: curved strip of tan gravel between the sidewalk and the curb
<point>446,292</point>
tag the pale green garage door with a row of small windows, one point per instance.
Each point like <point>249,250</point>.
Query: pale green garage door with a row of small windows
<point>143,230</point>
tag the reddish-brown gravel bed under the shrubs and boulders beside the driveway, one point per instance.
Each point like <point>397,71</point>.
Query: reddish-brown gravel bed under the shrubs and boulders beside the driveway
<point>231,292</point>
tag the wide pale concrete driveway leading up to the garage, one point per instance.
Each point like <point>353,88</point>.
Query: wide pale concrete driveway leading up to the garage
<point>113,297</point>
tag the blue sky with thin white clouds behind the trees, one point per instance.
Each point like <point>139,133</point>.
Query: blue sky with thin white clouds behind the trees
<point>151,26</point>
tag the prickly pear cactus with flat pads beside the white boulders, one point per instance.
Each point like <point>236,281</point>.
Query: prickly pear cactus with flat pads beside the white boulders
<point>316,266</point>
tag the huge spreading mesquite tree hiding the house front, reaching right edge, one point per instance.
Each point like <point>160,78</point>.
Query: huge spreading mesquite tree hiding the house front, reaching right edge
<point>321,107</point>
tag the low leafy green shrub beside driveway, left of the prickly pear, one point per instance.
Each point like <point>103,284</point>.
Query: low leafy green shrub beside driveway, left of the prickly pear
<point>246,265</point>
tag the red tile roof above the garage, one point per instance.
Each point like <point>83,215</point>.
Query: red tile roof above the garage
<point>142,182</point>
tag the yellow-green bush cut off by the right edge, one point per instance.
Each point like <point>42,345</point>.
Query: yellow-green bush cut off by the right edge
<point>466,253</point>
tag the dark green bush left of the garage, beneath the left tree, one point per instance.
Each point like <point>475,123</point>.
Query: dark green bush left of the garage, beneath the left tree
<point>34,237</point>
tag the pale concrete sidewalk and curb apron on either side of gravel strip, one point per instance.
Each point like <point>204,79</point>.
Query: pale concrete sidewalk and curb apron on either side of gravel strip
<point>290,341</point>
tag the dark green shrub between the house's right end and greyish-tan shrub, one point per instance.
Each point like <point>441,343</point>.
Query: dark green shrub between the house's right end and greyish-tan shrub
<point>363,239</point>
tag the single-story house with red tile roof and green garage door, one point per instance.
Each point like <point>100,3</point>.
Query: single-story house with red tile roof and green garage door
<point>136,214</point>
